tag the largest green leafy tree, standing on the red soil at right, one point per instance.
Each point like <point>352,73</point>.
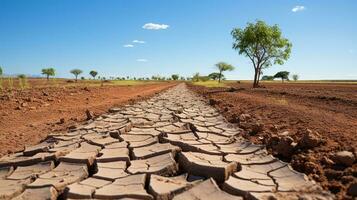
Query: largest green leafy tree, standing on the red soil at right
<point>264,45</point>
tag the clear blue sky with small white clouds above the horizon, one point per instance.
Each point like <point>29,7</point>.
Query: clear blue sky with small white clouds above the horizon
<point>190,36</point>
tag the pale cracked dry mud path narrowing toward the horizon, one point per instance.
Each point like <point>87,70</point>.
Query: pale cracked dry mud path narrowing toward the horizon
<point>172,146</point>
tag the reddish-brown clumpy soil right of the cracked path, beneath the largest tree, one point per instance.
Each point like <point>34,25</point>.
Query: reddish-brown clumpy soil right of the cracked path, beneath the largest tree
<point>280,114</point>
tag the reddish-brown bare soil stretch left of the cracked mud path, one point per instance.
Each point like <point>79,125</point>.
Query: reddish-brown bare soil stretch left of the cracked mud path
<point>28,116</point>
